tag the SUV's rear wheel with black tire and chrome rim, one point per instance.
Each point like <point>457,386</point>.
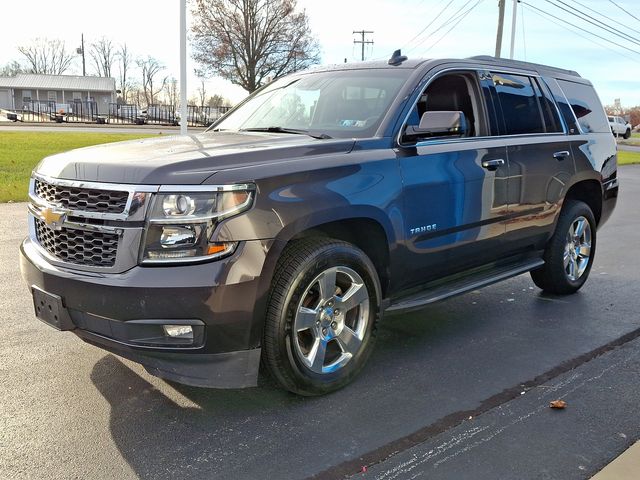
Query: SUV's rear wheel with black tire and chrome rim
<point>570,252</point>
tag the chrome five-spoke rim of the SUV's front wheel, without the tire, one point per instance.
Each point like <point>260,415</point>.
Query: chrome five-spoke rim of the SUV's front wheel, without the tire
<point>331,320</point>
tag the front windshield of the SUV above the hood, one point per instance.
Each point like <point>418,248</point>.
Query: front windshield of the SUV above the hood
<point>342,104</point>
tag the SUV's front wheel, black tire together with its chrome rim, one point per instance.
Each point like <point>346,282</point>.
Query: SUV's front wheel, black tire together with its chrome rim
<point>328,293</point>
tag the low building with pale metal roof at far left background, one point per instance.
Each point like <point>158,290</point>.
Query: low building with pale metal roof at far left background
<point>21,91</point>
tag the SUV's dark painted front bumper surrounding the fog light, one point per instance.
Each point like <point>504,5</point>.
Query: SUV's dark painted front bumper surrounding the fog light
<point>221,295</point>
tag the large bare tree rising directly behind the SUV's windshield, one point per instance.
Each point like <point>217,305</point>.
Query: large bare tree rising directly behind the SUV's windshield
<point>246,41</point>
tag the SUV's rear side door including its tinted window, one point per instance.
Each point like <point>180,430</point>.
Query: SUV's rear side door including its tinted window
<point>539,155</point>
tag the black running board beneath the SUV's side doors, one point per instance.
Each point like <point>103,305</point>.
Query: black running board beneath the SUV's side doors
<point>461,285</point>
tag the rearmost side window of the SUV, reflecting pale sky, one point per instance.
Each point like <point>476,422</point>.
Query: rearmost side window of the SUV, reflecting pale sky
<point>586,106</point>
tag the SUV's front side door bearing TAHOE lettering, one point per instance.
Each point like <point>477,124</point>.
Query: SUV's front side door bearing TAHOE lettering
<point>454,207</point>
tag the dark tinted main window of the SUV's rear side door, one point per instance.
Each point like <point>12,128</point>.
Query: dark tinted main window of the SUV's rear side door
<point>519,104</point>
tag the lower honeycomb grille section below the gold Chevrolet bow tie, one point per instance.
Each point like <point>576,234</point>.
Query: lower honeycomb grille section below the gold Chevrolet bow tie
<point>81,247</point>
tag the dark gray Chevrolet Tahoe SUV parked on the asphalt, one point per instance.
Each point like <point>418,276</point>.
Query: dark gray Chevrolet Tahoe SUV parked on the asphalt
<point>326,198</point>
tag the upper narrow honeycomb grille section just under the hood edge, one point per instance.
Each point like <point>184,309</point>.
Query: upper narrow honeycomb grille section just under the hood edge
<point>85,199</point>
